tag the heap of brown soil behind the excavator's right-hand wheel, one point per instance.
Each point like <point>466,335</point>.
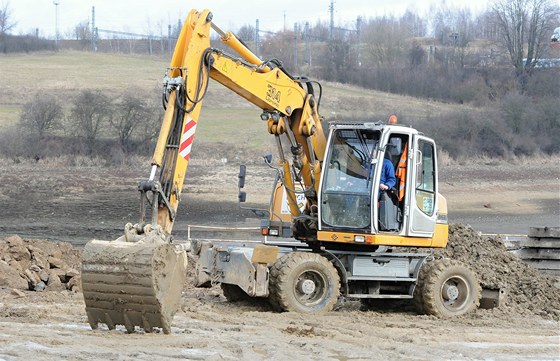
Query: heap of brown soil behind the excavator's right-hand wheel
<point>528,291</point>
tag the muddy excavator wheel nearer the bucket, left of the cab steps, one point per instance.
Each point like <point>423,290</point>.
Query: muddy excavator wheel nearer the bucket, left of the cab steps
<point>304,282</point>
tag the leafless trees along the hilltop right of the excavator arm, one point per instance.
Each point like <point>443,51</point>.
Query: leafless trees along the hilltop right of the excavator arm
<point>511,34</point>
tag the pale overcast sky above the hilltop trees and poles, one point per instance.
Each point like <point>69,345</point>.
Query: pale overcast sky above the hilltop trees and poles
<point>134,15</point>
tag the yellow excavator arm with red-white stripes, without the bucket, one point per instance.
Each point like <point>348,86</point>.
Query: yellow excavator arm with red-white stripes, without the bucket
<point>288,105</point>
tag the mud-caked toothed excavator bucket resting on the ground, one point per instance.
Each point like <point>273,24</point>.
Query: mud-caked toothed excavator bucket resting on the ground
<point>133,283</point>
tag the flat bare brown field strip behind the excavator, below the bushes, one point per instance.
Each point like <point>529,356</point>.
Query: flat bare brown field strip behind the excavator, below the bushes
<point>74,202</point>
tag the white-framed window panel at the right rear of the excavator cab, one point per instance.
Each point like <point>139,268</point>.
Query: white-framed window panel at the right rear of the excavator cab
<point>424,188</point>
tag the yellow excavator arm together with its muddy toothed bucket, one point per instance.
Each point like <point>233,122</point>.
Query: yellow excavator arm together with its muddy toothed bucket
<point>137,279</point>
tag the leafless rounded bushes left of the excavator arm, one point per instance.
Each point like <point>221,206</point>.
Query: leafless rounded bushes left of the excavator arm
<point>94,124</point>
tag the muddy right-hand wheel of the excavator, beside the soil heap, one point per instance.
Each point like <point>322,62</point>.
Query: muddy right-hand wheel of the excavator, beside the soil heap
<point>446,289</point>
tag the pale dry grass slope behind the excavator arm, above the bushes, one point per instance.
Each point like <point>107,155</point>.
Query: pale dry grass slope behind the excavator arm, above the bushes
<point>226,117</point>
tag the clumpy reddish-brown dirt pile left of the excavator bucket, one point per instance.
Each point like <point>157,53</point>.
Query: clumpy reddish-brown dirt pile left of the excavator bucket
<point>38,265</point>
